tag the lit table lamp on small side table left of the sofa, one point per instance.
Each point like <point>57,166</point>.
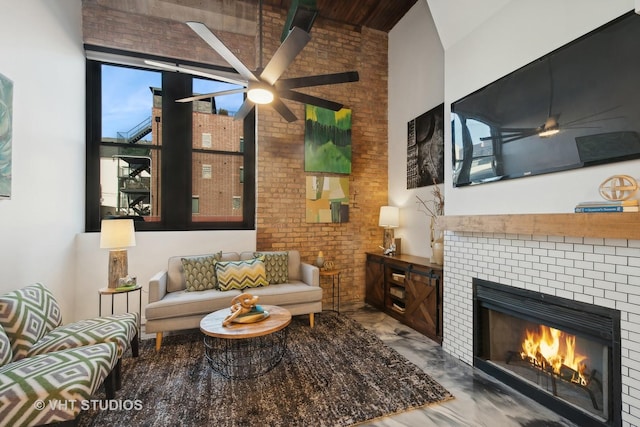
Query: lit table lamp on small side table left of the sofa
<point>116,235</point>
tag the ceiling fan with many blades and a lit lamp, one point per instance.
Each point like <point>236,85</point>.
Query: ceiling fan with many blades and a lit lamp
<point>264,86</point>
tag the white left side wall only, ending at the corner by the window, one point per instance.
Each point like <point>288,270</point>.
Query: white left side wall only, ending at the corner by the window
<point>41,52</point>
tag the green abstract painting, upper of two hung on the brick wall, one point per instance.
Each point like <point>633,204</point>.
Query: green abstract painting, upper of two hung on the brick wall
<point>327,140</point>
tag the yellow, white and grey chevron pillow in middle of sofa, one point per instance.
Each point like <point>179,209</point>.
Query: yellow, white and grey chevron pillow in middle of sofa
<point>241,274</point>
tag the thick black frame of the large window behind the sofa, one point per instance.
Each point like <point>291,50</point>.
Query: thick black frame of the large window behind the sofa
<point>176,155</point>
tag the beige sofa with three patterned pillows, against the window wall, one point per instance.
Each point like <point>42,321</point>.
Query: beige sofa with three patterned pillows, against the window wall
<point>193,286</point>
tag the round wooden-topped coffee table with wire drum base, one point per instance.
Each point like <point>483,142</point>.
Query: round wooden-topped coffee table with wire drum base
<point>245,350</point>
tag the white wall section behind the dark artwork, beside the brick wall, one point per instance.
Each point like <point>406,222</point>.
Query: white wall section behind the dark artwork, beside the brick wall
<point>416,85</point>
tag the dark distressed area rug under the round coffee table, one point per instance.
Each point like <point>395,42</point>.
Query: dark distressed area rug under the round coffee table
<point>336,374</point>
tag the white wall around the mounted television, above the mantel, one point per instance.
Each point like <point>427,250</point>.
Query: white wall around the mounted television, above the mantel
<point>517,34</point>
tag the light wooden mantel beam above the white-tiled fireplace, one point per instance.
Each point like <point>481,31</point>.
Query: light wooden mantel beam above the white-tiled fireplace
<point>618,225</point>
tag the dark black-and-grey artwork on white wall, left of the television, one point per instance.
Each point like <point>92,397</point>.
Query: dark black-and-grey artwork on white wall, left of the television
<point>425,149</point>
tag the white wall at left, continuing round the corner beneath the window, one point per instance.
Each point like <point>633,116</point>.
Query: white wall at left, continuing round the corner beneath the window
<point>42,235</point>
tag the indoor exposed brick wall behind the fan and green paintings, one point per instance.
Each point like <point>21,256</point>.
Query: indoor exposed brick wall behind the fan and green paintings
<point>280,163</point>
